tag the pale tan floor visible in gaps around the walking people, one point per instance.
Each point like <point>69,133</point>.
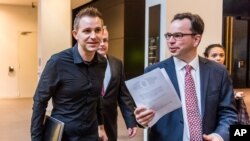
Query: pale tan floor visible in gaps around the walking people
<point>15,117</point>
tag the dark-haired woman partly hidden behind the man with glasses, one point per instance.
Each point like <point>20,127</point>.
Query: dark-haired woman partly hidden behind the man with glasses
<point>216,52</point>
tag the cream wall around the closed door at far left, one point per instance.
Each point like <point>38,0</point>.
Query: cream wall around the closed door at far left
<point>13,21</point>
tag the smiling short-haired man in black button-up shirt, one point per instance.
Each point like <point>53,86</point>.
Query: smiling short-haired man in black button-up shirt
<point>73,79</point>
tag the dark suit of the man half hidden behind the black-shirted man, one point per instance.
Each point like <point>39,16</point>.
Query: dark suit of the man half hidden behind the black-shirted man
<point>117,93</point>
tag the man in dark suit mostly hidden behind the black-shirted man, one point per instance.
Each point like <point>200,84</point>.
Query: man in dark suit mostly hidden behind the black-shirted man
<point>115,92</point>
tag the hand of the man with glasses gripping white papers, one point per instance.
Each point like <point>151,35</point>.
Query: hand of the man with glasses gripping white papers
<point>144,115</point>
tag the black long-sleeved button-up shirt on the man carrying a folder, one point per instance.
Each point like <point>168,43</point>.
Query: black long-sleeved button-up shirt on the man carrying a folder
<point>75,88</point>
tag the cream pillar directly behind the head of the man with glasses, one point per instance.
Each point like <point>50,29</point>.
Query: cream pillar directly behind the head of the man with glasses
<point>209,10</point>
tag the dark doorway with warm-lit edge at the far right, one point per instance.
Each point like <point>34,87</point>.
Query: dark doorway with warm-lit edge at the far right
<point>236,39</point>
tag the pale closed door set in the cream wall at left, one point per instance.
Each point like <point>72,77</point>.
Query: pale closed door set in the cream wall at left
<point>28,64</point>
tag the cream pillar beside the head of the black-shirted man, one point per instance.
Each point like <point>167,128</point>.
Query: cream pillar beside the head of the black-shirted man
<point>54,28</point>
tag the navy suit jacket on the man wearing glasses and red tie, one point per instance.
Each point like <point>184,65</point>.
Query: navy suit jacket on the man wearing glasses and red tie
<point>217,103</point>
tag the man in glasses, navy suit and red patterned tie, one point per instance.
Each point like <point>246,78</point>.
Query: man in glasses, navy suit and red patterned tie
<point>213,89</point>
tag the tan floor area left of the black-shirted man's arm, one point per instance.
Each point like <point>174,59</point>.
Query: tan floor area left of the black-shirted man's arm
<point>15,119</point>
